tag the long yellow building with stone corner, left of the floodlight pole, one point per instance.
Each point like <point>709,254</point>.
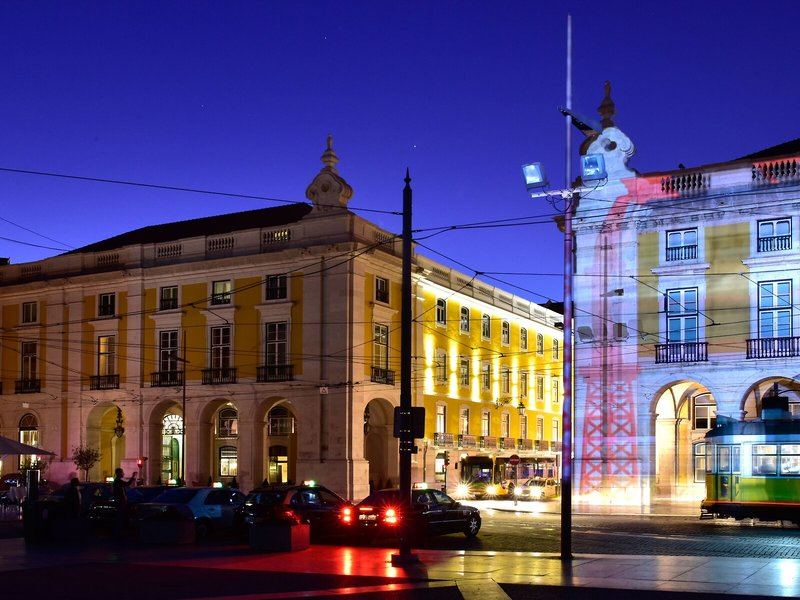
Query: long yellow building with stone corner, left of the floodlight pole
<point>264,346</point>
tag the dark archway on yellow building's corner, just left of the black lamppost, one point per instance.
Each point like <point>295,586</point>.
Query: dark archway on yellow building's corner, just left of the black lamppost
<point>380,445</point>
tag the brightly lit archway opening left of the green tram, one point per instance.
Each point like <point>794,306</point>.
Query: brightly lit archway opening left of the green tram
<point>681,412</point>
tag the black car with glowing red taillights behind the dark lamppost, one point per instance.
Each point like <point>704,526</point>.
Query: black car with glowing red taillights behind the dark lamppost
<point>432,512</point>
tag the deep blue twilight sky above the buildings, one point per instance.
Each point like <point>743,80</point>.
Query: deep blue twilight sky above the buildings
<point>240,96</point>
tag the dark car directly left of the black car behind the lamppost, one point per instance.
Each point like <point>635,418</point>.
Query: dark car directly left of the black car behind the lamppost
<point>328,513</point>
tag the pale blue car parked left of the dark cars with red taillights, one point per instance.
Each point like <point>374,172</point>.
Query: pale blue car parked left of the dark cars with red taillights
<point>213,508</point>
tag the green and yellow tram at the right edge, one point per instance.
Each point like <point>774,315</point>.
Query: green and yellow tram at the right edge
<point>753,467</point>
